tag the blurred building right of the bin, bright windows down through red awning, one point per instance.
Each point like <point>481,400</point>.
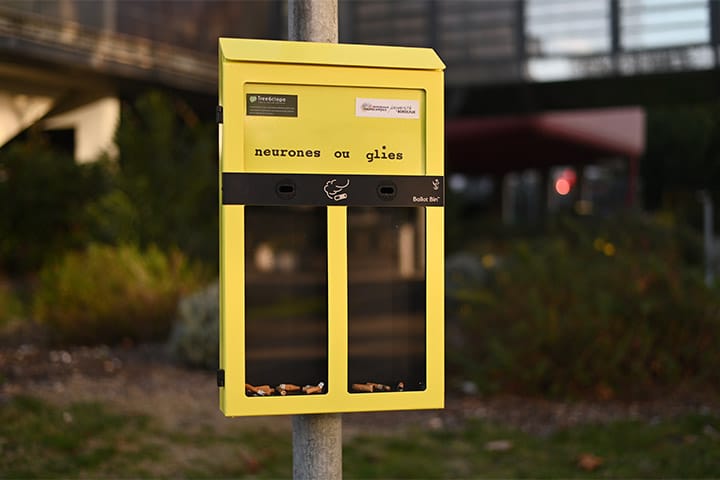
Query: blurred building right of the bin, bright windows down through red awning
<point>538,89</point>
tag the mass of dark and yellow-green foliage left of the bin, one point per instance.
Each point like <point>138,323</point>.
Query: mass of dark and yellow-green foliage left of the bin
<point>109,241</point>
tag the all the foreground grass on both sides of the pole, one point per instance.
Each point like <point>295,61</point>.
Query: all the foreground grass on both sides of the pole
<point>90,440</point>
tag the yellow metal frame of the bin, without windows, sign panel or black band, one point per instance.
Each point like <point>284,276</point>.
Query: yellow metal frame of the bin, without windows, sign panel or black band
<point>331,65</point>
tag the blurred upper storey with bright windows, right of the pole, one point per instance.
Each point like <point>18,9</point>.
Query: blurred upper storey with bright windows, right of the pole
<point>505,42</point>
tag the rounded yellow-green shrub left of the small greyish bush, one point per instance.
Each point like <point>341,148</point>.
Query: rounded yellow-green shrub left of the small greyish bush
<point>108,294</point>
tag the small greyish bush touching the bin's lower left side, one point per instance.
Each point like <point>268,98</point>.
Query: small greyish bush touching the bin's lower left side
<point>194,339</point>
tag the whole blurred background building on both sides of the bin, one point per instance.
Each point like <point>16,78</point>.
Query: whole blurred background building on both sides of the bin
<point>524,77</point>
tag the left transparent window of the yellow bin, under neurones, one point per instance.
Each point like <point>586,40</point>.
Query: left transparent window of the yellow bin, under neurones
<point>286,331</point>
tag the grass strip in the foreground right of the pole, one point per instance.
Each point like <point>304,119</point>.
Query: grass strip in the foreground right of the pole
<point>687,447</point>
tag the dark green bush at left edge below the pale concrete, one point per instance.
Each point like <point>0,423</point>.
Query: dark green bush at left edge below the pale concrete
<point>41,192</point>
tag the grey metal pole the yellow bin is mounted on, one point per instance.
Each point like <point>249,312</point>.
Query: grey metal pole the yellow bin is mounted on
<point>317,439</point>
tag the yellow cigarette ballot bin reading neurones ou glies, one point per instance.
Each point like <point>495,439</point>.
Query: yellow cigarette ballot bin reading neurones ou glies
<point>331,236</point>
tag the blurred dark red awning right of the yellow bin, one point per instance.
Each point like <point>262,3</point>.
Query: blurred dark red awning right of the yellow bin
<point>496,145</point>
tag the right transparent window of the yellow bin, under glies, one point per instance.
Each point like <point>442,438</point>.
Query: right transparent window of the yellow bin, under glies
<point>386,299</point>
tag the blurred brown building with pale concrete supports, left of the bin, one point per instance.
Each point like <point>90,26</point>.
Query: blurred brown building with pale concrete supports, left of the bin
<point>66,63</point>
